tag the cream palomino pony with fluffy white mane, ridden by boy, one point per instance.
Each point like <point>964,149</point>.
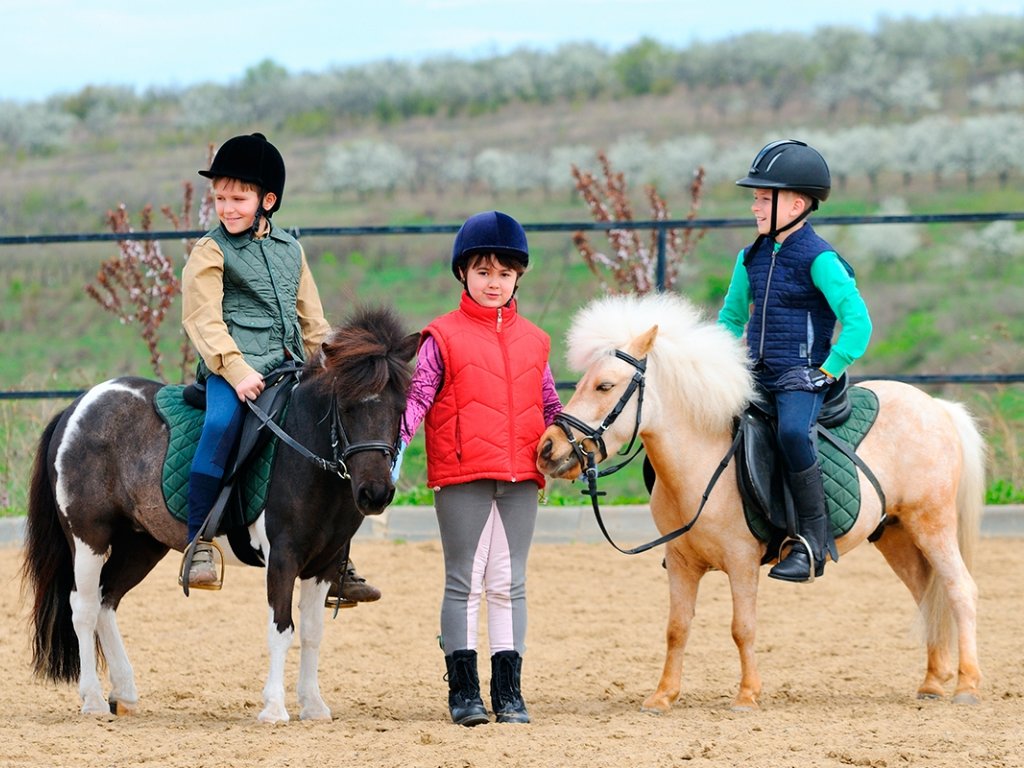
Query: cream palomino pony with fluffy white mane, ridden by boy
<point>926,453</point>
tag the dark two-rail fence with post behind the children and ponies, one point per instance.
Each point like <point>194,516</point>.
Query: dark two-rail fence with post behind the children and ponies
<point>661,226</point>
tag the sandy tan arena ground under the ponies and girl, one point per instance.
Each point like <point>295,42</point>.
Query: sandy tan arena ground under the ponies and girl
<point>839,662</point>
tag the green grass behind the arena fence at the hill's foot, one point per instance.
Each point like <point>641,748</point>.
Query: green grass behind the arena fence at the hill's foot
<point>938,311</point>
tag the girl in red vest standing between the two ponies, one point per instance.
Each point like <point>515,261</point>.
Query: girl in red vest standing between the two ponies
<point>485,389</point>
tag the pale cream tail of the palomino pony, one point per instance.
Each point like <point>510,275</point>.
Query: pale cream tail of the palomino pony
<point>970,503</point>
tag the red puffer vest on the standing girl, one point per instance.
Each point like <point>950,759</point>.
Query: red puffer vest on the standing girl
<point>489,414</point>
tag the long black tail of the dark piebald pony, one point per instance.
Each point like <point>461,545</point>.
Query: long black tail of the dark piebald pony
<point>49,571</point>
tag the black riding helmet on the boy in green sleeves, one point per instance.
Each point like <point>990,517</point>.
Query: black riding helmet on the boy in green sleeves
<point>792,165</point>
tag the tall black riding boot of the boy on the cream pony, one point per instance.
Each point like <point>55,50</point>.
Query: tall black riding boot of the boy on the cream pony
<point>813,526</point>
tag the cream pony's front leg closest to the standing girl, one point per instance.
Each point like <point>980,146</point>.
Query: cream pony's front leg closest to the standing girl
<point>684,583</point>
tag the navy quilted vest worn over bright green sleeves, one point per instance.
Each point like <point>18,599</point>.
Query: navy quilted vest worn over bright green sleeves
<point>792,324</point>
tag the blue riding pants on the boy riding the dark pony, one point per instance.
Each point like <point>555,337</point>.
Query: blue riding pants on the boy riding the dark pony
<point>221,432</point>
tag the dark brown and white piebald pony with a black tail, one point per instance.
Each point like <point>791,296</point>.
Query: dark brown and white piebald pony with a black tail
<point>98,522</point>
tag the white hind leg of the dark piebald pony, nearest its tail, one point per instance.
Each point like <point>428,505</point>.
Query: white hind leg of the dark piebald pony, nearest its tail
<point>86,616</point>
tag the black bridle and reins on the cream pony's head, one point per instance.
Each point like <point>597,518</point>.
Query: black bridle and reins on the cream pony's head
<point>588,460</point>
